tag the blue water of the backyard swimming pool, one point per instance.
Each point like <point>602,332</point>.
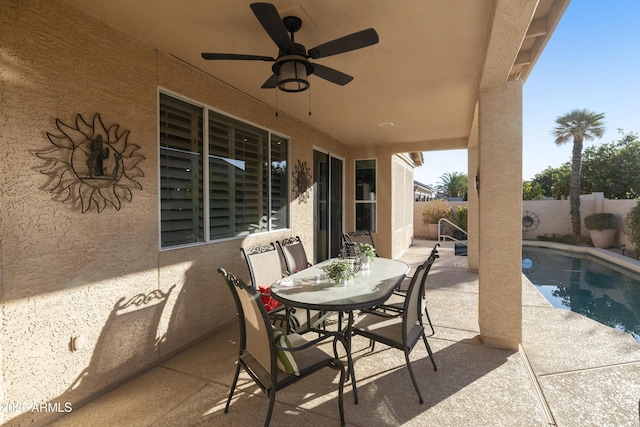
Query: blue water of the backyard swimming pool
<point>586,285</point>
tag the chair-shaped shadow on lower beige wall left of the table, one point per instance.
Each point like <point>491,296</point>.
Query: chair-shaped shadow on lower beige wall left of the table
<point>139,332</point>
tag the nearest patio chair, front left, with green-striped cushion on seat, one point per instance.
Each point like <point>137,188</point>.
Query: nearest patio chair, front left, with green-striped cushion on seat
<point>273,360</point>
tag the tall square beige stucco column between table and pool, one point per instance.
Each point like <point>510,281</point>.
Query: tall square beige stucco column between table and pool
<point>499,215</point>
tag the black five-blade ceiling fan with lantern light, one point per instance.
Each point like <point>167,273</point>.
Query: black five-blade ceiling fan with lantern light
<point>292,67</point>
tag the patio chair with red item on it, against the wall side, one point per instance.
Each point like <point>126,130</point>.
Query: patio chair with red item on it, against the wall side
<point>265,267</point>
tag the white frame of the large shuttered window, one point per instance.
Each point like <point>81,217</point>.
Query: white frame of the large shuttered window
<point>206,206</point>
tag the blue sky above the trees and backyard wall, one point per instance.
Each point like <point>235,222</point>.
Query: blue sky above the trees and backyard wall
<point>592,61</point>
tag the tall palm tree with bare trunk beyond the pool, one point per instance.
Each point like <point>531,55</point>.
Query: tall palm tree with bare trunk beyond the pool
<point>578,125</point>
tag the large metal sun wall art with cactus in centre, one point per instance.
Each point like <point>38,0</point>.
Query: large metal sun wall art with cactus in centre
<point>91,164</point>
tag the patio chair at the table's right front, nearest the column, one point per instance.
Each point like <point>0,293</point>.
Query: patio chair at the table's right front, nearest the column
<point>400,332</point>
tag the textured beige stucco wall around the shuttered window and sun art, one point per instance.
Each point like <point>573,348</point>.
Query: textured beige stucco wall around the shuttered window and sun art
<point>63,271</point>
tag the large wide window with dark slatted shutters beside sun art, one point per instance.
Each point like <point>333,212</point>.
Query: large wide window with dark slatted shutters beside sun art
<point>247,171</point>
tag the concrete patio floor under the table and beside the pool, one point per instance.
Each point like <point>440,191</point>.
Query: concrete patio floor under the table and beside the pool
<point>571,371</point>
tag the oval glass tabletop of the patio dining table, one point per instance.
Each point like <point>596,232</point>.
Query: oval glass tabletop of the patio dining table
<point>312,289</point>
